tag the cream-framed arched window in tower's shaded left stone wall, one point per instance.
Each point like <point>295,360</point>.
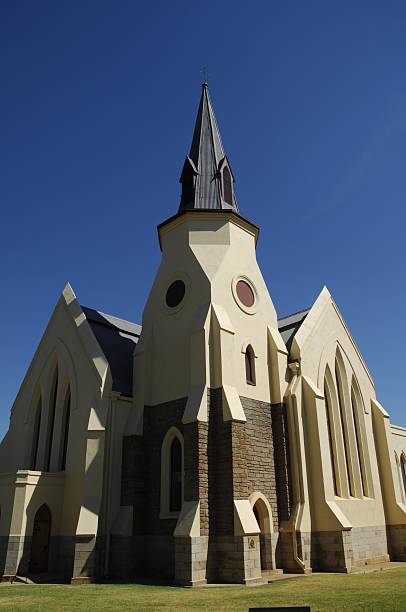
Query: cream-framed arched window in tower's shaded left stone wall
<point>172,474</point>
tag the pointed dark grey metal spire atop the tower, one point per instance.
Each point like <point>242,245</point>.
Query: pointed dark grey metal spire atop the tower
<point>207,179</point>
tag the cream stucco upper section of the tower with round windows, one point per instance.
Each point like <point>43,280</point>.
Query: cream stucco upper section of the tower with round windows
<point>201,343</point>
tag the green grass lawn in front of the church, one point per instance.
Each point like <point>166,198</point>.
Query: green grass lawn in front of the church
<point>370,592</point>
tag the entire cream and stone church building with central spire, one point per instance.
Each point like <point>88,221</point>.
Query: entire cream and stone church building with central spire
<point>214,442</point>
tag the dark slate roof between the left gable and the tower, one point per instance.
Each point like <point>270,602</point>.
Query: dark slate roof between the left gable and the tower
<point>117,339</point>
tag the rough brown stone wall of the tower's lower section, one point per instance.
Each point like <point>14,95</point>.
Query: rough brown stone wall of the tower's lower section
<point>223,461</point>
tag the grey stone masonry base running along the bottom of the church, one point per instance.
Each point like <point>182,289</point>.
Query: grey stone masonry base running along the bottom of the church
<point>193,561</point>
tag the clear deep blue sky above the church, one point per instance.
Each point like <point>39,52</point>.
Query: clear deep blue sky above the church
<point>97,110</point>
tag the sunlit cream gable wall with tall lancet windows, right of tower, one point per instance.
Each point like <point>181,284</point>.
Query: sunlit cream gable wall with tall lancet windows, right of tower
<point>322,339</point>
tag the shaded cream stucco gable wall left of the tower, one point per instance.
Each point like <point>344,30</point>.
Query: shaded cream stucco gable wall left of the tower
<point>73,495</point>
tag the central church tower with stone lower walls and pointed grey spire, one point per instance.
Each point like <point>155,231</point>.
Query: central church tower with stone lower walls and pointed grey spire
<point>200,467</point>
